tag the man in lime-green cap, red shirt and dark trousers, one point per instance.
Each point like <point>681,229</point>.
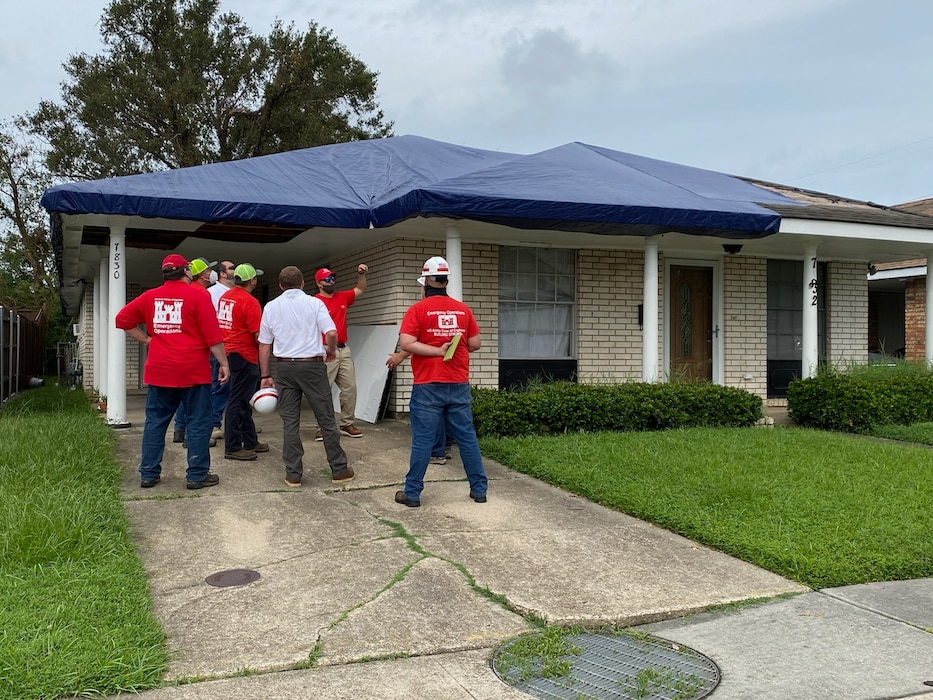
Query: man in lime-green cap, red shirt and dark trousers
<point>239,314</point>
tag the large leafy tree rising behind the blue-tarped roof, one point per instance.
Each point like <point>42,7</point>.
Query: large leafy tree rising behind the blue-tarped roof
<point>180,84</point>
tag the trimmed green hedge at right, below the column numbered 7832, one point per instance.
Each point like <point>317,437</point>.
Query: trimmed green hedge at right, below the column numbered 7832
<point>857,400</point>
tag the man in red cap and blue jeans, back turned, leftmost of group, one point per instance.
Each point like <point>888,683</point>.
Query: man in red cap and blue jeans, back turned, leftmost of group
<point>181,333</point>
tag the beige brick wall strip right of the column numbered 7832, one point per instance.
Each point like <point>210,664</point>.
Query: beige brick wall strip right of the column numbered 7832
<point>847,313</point>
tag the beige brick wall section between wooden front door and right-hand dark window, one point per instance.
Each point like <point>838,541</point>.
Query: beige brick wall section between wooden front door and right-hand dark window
<point>745,330</point>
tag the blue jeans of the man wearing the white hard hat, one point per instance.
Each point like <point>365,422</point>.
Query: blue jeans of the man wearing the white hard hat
<point>437,406</point>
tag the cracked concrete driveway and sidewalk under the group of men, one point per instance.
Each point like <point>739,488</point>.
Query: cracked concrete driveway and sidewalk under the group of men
<point>394,602</point>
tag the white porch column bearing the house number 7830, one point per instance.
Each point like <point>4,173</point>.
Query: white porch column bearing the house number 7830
<point>116,360</point>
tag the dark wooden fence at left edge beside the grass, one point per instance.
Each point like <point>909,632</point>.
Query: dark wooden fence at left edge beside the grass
<point>22,350</point>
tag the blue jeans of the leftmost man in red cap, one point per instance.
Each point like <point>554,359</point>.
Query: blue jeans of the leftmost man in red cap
<point>163,402</point>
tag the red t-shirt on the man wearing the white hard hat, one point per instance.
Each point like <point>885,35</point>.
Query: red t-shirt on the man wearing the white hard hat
<point>434,321</point>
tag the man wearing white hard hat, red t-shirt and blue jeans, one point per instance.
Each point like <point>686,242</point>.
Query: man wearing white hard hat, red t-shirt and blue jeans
<point>440,333</point>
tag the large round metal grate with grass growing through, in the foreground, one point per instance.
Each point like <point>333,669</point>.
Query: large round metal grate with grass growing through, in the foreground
<point>561,665</point>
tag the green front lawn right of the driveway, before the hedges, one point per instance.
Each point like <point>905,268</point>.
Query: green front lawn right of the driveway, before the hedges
<point>821,508</point>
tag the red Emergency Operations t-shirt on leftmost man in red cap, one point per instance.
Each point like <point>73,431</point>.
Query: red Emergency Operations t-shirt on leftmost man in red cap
<point>182,324</point>
